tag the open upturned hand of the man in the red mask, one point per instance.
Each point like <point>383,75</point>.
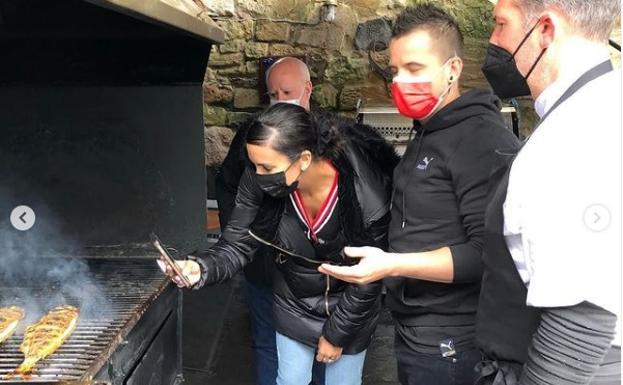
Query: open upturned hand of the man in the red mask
<point>375,264</point>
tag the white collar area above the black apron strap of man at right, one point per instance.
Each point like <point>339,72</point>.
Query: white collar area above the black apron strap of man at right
<point>571,73</point>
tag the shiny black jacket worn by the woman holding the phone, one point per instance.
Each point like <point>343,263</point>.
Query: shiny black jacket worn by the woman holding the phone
<point>309,304</point>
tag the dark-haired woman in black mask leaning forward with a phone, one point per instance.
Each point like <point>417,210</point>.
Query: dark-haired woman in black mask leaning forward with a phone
<point>315,183</point>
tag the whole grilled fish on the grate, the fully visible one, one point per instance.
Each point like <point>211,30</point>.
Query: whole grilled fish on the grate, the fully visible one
<point>48,334</point>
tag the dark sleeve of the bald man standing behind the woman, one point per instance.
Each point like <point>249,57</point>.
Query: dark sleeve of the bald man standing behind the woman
<point>229,175</point>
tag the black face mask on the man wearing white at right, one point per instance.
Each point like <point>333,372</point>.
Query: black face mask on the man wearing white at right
<point>501,71</point>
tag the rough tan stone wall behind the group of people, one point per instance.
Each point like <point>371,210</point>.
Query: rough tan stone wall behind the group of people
<point>335,51</point>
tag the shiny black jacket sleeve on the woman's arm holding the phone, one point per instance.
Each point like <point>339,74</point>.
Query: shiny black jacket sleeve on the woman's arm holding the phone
<point>236,247</point>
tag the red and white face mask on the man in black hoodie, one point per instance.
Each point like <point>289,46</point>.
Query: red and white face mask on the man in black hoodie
<point>414,97</point>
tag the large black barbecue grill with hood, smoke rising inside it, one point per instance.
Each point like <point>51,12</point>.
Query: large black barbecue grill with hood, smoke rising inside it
<point>101,135</point>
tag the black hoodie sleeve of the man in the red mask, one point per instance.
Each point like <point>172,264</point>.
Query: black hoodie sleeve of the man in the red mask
<point>470,166</point>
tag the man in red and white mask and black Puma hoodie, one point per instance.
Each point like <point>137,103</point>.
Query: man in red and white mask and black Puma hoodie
<point>433,266</point>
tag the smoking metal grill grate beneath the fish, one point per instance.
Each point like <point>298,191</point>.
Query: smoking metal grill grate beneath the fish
<point>129,286</point>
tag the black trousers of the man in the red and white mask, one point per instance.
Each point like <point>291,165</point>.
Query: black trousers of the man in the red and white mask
<point>416,368</point>
